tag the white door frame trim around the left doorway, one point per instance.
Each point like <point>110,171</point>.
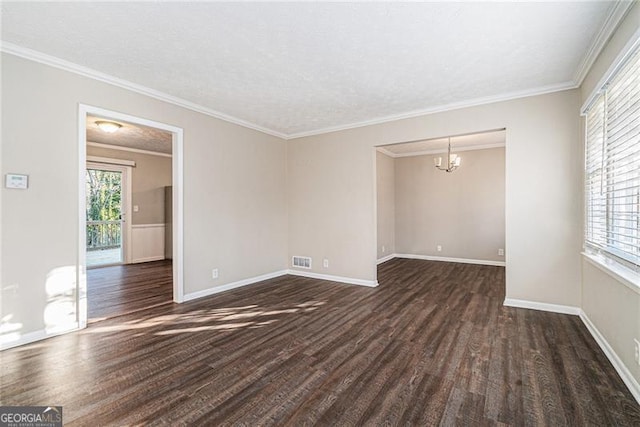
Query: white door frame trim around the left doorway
<point>177,178</point>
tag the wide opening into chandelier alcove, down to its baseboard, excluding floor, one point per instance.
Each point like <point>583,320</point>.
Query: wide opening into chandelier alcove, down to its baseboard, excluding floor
<point>442,199</point>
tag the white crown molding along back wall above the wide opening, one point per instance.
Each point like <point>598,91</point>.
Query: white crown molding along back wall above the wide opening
<point>442,108</point>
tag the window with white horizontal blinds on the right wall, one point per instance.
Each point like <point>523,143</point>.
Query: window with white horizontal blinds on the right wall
<point>612,167</point>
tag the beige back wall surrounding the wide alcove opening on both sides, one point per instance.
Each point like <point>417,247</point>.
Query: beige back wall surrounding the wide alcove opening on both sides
<point>332,200</point>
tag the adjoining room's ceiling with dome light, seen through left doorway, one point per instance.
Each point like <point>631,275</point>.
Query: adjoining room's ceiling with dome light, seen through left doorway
<point>130,135</point>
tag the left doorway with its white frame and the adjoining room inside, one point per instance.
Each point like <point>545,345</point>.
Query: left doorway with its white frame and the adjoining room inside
<point>130,209</point>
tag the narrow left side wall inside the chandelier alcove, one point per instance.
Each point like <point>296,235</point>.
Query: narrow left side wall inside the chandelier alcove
<point>386,204</point>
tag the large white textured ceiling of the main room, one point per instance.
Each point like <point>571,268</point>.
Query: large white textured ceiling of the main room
<point>301,68</point>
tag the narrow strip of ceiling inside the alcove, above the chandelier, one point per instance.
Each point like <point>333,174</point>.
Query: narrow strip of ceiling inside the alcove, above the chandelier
<point>458,143</point>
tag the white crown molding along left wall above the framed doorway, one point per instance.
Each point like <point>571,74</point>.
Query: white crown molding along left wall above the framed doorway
<point>53,61</point>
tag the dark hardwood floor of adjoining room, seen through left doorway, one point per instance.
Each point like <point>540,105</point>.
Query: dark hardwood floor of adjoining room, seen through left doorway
<point>124,289</point>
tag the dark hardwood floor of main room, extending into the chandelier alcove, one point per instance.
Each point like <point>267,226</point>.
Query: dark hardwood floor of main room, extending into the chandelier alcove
<point>432,345</point>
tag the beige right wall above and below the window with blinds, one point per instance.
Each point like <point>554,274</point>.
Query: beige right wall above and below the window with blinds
<point>613,308</point>
